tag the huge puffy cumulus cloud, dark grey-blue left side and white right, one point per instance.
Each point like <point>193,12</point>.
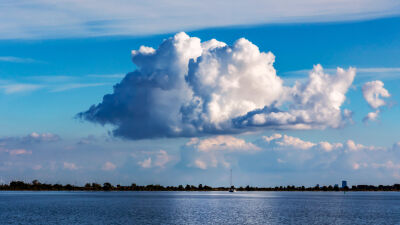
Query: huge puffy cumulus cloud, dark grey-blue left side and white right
<point>189,88</point>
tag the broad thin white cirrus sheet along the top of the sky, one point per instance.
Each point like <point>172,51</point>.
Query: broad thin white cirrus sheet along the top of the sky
<point>87,18</point>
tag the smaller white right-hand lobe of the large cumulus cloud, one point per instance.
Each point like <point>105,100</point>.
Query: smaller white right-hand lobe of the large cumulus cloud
<point>315,104</point>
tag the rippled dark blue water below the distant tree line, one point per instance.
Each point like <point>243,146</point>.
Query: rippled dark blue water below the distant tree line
<point>199,208</point>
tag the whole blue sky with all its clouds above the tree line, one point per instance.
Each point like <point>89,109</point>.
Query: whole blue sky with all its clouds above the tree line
<point>52,72</point>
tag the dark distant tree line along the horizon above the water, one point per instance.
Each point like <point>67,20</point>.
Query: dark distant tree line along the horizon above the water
<point>38,186</point>
